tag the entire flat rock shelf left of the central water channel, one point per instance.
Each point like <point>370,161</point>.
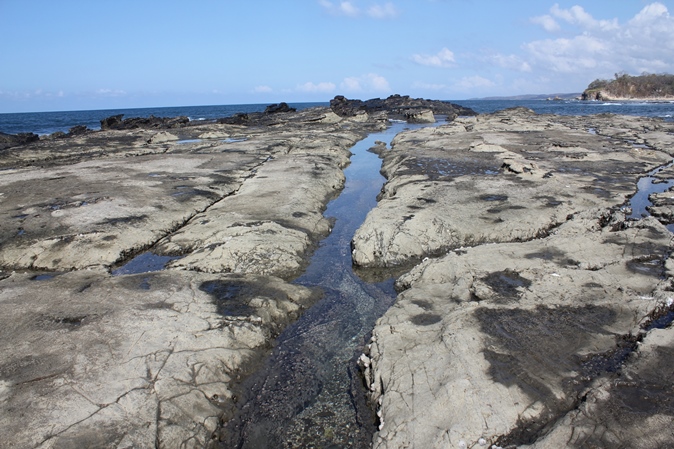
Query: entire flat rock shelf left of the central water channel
<point>92,355</point>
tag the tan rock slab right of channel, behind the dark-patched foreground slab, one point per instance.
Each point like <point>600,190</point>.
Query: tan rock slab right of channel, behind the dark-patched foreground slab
<point>513,176</point>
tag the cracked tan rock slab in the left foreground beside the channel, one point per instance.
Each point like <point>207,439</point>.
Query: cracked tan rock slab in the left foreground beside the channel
<point>89,360</point>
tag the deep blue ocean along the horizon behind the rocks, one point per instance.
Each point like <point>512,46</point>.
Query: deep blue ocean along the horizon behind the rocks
<point>49,122</point>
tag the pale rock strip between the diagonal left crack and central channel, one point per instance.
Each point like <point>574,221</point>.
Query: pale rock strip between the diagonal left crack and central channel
<point>273,220</point>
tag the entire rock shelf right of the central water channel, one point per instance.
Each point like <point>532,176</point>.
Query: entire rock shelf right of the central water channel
<point>527,319</point>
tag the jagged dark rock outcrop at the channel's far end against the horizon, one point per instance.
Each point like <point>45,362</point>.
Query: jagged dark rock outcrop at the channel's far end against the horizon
<point>397,105</point>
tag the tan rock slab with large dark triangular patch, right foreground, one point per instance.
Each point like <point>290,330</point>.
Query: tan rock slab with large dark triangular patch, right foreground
<point>493,338</point>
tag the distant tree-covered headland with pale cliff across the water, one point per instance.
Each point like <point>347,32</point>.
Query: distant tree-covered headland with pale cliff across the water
<point>625,87</point>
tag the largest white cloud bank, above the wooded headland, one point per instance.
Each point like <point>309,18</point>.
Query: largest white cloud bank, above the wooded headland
<point>594,48</point>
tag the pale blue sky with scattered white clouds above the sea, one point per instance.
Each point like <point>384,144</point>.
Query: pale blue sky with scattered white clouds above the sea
<point>77,55</point>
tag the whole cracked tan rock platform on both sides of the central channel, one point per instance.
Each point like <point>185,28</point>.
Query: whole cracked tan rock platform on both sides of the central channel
<point>533,312</point>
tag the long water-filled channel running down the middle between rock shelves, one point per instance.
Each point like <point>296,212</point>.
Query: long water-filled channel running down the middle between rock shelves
<point>309,393</point>
